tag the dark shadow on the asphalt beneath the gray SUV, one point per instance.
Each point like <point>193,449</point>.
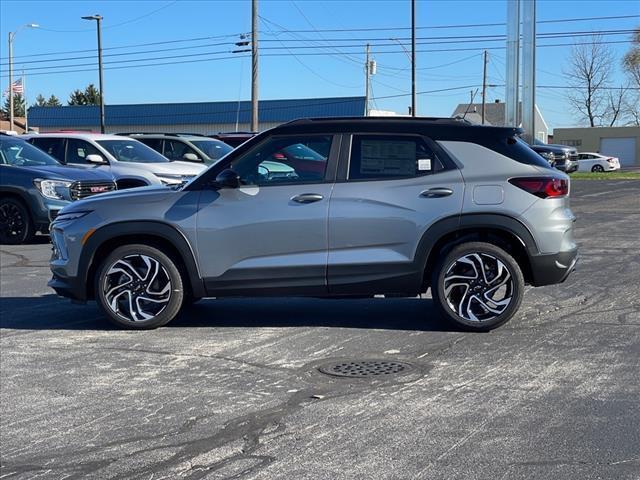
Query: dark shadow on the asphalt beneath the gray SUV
<point>50,312</point>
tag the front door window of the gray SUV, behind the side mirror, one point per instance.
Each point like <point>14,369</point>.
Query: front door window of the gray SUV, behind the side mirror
<point>299,159</point>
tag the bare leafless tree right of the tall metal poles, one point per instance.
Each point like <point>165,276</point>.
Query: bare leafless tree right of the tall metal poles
<point>589,75</point>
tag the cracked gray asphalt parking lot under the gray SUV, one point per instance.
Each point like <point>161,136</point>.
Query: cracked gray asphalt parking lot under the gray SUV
<point>232,389</point>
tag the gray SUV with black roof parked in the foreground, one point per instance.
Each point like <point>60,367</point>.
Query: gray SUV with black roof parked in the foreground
<point>376,206</point>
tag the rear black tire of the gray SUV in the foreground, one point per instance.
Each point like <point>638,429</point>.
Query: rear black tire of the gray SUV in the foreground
<point>492,256</point>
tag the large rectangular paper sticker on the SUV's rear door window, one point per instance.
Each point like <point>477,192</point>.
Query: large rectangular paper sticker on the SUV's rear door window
<point>384,157</point>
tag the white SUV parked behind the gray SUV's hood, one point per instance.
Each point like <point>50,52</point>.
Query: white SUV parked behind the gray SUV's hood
<point>131,163</point>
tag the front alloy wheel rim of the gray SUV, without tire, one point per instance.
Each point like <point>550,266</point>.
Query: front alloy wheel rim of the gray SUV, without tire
<point>137,288</point>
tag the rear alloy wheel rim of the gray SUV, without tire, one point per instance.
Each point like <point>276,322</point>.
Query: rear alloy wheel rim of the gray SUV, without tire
<point>478,287</point>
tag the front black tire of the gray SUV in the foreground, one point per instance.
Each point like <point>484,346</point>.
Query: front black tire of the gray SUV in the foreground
<point>167,272</point>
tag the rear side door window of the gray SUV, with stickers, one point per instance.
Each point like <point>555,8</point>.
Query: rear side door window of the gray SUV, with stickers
<point>377,157</point>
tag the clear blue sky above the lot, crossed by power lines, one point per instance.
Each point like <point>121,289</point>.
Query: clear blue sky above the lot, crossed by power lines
<point>338,71</point>
